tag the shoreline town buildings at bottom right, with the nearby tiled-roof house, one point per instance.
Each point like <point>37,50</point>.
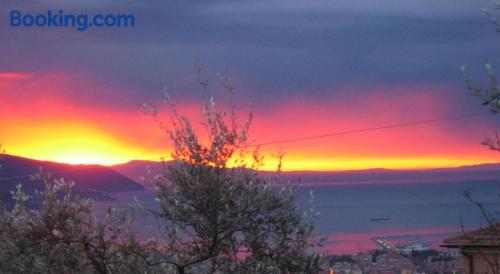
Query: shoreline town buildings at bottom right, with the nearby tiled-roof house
<point>475,252</point>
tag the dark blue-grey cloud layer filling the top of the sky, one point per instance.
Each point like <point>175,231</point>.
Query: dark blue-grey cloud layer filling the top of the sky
<point>273,48</point>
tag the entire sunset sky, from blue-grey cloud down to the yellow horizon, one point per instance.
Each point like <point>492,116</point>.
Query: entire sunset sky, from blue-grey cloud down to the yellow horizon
<point>303,68</point>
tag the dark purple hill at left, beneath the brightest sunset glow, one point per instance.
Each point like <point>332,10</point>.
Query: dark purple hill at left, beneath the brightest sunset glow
<point>88,179</point>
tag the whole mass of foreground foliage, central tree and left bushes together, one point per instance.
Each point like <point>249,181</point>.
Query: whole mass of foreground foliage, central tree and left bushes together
<point>217,215</point>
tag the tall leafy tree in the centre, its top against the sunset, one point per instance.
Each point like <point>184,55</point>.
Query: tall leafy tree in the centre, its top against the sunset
<point>219,214</point>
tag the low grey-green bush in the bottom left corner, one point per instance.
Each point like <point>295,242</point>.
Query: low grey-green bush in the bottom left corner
<point>53,231</point>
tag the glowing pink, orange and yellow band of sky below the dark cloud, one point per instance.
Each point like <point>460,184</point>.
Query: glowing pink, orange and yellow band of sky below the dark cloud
<point>39,120</point>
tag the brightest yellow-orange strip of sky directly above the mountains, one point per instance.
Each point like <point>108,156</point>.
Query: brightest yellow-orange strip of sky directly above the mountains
<point>73,142</point>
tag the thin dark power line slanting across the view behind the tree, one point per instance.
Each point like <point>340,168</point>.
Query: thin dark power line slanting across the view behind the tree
<point>292,140</point>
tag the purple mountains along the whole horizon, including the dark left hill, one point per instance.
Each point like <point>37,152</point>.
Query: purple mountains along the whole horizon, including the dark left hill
<point>136,175</point>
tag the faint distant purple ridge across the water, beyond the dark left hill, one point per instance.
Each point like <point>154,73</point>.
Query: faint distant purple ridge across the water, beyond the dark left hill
<point>137,170</point>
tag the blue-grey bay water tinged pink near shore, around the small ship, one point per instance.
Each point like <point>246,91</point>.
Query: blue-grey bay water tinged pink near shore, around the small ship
<point>432,210</point>
